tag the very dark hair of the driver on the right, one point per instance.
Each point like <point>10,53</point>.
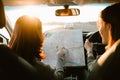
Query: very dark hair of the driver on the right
<point>111,14</point>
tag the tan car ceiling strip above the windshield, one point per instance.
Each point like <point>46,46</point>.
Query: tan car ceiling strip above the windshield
<point>53,2</point>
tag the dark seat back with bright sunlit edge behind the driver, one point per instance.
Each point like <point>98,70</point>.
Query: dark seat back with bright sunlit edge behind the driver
<point>108,65</point>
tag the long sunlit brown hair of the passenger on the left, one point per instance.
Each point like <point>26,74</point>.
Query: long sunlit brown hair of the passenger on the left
<point>27,38</point>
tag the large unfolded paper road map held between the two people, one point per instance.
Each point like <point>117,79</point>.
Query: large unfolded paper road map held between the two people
<point>72,40</point>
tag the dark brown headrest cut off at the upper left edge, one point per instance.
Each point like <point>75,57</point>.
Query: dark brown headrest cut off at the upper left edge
<point>2,15</point>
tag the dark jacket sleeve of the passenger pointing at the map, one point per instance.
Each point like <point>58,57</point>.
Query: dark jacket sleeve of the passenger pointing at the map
<point>48,73</point>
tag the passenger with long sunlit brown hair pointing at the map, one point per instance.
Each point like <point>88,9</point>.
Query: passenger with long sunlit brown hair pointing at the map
<point>27,40</point>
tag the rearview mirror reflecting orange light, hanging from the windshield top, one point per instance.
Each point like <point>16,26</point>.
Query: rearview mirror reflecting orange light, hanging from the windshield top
<point>67,12</point>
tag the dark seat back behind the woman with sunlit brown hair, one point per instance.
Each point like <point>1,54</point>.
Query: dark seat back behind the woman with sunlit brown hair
<point>13,67</point>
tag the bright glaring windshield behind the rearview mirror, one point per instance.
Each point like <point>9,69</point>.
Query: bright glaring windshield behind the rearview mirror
<point>88,14</point>
